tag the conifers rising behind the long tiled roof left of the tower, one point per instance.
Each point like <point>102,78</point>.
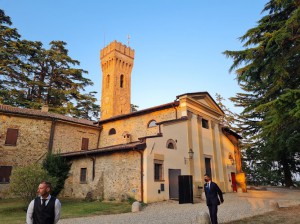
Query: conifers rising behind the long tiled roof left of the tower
<point>31,76</point>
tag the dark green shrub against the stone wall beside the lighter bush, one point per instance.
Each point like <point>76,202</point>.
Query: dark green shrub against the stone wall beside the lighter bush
<point>57,167</point>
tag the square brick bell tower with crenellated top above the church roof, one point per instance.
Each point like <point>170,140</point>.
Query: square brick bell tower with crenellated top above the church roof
<point>116,63</point>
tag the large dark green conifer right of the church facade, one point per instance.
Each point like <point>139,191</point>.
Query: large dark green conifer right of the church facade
<point>268,71</point>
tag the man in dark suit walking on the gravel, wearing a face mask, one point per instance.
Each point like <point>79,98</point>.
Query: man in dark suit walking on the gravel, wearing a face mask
<point>212,191</point>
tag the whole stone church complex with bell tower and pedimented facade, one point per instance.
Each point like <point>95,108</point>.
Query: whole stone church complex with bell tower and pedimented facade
<point>128,154</point>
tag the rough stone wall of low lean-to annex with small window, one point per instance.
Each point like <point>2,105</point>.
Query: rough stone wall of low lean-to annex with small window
<point>117,177</point>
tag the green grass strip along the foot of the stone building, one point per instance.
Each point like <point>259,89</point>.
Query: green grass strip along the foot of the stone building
<point>13,211</point>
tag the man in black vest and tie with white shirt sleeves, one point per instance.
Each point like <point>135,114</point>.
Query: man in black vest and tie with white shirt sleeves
<point>44,209</point>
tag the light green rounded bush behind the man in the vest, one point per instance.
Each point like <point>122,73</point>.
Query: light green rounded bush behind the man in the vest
<point>24,181</point>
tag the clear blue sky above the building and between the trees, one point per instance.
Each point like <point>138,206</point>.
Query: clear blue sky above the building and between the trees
<point>178,44</point>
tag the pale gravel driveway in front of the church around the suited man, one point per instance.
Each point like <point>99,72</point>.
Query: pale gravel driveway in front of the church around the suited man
<point>236,206</point>
